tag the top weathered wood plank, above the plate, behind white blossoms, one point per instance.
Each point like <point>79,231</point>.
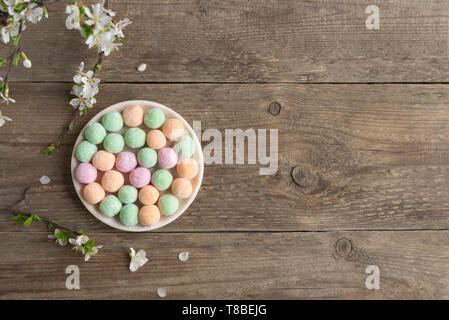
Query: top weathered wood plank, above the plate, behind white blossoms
<point>254,41</point>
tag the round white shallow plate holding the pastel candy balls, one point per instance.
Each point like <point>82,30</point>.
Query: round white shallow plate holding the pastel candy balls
<point>183,204</point>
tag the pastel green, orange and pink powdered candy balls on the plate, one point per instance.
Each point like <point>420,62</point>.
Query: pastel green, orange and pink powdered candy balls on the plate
<point>136,184</point>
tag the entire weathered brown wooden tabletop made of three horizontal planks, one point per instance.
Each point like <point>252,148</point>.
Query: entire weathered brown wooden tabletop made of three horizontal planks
<point>363,174</point>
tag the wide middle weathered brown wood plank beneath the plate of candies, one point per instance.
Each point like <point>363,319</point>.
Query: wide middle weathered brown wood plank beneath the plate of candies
<point>369,157</point>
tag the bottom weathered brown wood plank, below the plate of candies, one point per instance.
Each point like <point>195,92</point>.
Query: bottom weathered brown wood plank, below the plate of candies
<point>413,265</point>
